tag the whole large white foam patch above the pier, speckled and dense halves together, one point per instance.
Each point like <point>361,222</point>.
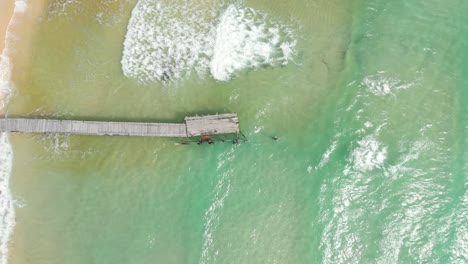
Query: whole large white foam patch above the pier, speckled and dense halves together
<point>167,40</point>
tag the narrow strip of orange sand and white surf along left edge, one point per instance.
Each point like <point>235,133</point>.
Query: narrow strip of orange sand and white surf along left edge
<point>18,20</point>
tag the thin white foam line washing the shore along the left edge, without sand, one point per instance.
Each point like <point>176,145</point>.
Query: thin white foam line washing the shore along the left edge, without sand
<point>7,213</point>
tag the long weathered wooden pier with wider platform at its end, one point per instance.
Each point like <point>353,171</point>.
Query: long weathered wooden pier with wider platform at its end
<point>193,126</point>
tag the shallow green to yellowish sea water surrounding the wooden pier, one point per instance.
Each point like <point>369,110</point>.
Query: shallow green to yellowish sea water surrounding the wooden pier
<point>370,166</point>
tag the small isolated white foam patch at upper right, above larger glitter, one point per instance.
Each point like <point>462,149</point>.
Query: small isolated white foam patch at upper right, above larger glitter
<point>381,85</point>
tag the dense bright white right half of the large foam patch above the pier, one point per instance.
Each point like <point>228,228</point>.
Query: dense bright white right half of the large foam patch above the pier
<point>246,38</point>
